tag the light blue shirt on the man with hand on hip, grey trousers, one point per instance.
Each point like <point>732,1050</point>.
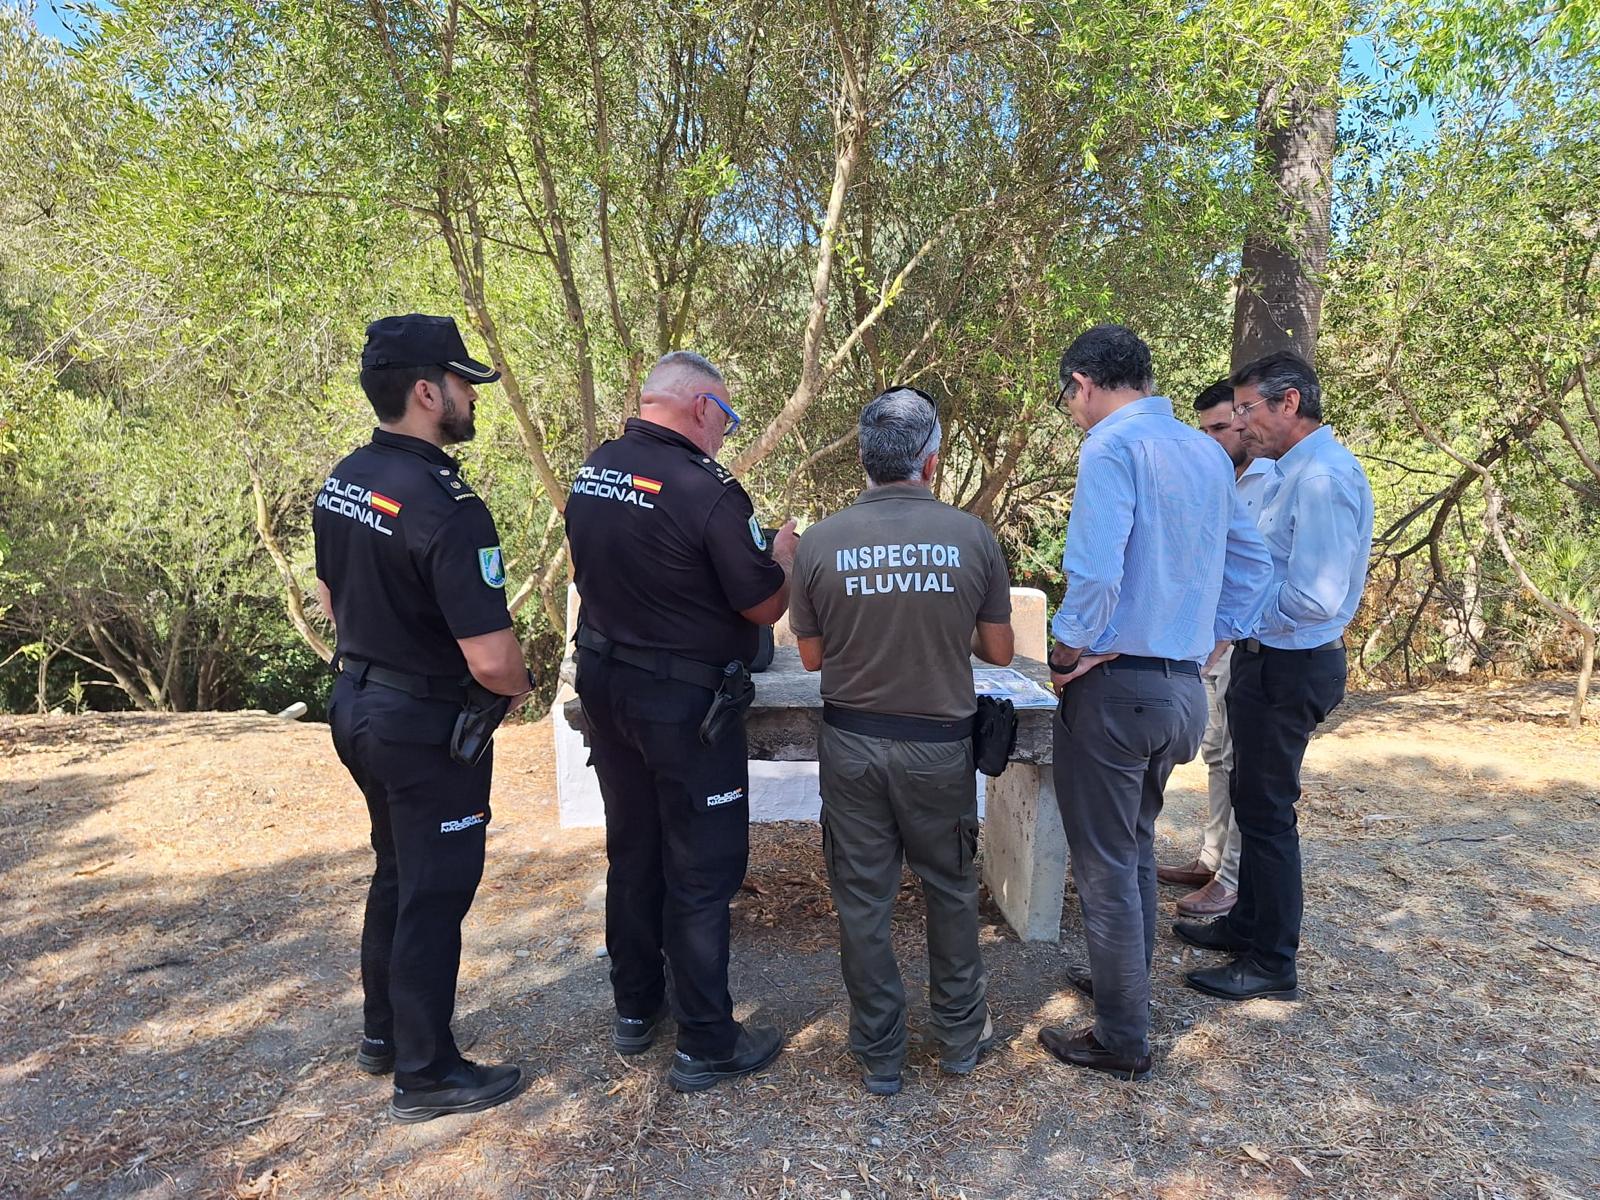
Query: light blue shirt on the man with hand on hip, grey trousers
<point>1162,558</point>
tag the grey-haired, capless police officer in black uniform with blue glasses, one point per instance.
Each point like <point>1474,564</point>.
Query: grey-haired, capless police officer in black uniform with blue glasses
<point>674,574</point>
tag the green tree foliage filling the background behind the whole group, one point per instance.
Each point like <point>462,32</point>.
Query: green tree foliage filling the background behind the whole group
<point>930,191</point>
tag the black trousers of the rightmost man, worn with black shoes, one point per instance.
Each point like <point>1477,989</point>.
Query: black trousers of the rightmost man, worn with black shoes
<point>1276,702</point>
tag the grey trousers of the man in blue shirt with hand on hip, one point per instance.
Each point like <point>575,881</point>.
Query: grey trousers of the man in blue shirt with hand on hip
<point>1118,737</point>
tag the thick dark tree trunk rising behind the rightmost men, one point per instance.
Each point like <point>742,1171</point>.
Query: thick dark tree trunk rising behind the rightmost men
<point>1279,303</point>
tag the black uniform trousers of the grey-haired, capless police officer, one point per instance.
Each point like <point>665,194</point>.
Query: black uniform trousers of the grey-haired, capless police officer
<point>678,818</point>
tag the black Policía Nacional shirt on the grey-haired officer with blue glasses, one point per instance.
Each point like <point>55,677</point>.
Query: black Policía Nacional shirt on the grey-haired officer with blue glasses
<point>666,548</point>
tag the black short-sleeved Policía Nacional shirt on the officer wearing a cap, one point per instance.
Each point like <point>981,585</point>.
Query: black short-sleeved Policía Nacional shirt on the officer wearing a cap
<point>414,562</point>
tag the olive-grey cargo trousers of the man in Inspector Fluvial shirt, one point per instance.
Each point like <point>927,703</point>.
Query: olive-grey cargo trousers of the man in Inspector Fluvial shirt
<point>884,801</point>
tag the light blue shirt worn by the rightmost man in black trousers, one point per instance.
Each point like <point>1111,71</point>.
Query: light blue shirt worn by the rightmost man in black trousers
<point>1318,519</point>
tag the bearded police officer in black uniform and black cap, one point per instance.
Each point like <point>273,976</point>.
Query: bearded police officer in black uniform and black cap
<point>410,569</point>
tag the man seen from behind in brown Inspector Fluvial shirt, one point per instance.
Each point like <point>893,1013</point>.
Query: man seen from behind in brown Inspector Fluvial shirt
<point>889,601</point>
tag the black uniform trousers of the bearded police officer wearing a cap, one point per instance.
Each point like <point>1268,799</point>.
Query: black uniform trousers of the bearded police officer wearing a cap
<point>430,817</point>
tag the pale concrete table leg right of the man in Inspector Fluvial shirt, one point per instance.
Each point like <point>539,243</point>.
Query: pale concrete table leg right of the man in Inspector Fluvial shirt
<point>1026,852</point>
